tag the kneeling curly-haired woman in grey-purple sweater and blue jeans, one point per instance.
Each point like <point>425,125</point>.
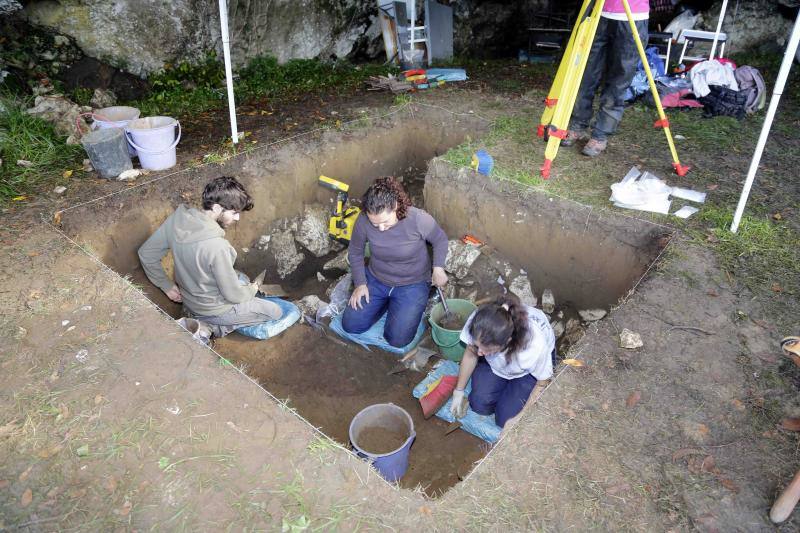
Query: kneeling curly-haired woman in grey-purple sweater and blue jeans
<point>398,278</point>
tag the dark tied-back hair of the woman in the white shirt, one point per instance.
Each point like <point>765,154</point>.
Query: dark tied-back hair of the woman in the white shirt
<point>503,322</point>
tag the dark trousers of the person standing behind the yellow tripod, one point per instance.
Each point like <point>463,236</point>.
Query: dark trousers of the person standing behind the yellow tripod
<point>613,60</point>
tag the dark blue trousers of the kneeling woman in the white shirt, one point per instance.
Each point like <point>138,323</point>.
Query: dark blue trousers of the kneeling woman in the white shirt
<point>493,394</point>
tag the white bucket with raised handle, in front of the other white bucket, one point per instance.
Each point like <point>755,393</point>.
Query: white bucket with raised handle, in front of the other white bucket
<point>155,139</point>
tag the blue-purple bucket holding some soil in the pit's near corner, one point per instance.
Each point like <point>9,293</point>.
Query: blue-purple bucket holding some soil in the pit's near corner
<point>393,465</point>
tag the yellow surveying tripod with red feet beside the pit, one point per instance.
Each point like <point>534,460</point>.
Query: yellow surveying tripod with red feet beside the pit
<point>564,91</point>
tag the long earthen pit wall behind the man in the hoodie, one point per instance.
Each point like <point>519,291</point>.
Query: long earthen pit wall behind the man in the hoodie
<point>281,180</point>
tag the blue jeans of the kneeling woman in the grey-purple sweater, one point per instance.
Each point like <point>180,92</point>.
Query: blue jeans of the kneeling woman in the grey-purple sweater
<point>405,305</point>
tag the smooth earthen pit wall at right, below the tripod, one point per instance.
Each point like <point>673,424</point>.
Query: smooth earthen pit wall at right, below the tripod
<point>587,257</point>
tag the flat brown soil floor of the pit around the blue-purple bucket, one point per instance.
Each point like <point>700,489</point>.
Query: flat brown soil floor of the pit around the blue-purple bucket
<point>329,383</point>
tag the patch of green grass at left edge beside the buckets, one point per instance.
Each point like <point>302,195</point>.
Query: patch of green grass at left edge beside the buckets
<point>31,139</point>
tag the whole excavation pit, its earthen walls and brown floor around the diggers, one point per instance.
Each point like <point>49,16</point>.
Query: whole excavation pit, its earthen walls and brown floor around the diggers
<point>589,259</point>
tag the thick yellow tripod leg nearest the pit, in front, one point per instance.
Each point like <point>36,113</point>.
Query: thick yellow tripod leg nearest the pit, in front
<point>572,81</point>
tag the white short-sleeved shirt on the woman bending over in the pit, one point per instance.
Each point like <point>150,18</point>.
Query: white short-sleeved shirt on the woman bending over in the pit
<point>534,359</point>
